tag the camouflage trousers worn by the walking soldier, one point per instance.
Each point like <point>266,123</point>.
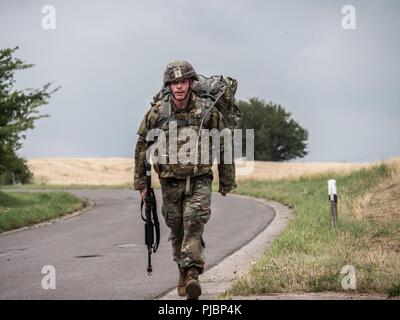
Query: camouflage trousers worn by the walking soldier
<point>186,215</point>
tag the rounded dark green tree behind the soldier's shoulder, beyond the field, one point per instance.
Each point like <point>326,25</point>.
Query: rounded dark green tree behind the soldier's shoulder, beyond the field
<point>277,137</point>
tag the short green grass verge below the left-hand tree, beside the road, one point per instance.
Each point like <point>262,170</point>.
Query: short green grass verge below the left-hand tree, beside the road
<point>19,209</point>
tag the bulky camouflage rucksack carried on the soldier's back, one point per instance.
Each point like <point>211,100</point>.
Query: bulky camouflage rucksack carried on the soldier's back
<point>217,87</point>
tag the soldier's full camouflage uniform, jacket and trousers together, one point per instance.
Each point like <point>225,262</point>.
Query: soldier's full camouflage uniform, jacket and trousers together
<point>185,213</point>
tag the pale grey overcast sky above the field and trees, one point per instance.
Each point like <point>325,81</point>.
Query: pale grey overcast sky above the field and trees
<point>109,56</point>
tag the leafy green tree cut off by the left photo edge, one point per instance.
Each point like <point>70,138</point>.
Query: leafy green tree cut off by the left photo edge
<point>18,112</point>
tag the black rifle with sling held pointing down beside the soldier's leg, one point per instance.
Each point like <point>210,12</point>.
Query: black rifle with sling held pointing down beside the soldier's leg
<point>150,219</point>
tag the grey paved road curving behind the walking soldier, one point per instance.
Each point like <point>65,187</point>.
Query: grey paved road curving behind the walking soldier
<point>101,254</point>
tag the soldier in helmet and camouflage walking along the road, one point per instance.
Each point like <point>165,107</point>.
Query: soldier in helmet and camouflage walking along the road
<point>186,187</point>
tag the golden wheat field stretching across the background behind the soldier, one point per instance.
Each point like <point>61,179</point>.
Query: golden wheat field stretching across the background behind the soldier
<point>119,171</point>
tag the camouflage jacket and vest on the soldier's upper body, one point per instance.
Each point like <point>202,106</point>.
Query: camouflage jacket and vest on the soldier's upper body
<point>191,117</point>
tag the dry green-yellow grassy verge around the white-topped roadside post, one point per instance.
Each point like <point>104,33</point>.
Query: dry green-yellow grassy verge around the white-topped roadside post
<point>310,254</point>
